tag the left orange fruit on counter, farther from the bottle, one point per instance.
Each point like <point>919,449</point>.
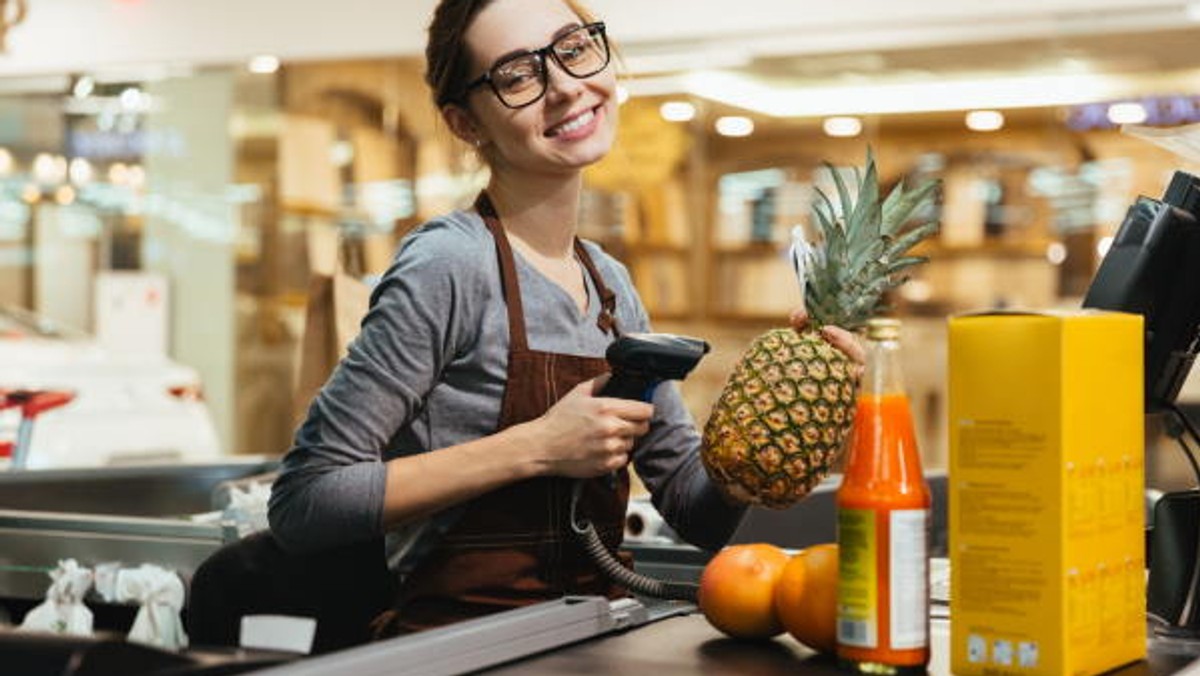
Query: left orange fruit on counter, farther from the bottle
<point>737,590</point>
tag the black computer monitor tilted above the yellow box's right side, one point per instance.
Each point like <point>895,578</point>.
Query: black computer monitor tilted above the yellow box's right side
<point>1154,270</point>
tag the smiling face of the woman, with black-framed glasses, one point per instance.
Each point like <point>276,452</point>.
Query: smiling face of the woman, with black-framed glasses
<point>575,123</point>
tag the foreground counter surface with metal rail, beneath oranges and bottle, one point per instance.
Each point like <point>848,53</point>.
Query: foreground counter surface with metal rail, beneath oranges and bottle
<point>585,636</point>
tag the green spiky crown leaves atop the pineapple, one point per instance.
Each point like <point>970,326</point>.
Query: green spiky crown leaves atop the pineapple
<point>863,252</point>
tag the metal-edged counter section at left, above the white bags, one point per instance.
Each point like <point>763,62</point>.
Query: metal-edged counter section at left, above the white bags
<point>169,516</point>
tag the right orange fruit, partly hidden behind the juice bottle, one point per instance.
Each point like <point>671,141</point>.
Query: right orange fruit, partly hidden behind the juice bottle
<point>807,597</point>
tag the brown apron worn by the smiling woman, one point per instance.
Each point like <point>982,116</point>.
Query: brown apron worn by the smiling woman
<point>514,546</point>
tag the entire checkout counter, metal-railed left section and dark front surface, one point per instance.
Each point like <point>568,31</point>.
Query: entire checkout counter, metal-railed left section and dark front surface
<point>151,516</point>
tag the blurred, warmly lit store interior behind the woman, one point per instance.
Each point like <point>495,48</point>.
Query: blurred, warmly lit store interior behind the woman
<point>208,141</point>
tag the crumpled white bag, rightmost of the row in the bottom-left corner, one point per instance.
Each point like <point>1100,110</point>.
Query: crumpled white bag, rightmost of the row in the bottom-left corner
<point>161,595</point>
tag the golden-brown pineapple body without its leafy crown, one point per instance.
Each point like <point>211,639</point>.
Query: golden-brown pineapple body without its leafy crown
<point>778,428</point>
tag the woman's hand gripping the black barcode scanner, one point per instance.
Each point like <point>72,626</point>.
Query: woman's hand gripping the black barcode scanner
<point>585,436</point>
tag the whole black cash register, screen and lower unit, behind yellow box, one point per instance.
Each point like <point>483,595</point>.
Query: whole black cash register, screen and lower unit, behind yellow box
<point>1154,270</point>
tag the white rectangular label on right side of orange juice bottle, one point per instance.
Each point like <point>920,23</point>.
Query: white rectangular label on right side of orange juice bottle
<point>909,579</point>
